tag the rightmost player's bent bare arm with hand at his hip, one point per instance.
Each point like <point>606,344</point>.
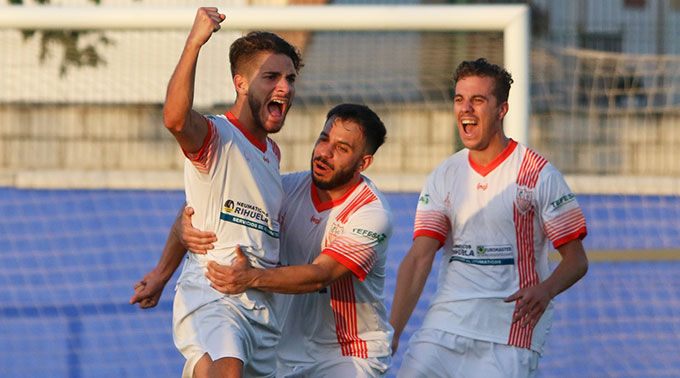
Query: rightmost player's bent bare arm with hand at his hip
<point>532,301</point>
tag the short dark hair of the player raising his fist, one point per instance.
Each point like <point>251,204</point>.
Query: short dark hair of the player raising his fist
<point>246,47</point>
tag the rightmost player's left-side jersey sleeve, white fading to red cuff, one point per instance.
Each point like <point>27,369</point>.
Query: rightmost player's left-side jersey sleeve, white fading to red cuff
<point>432,218</point>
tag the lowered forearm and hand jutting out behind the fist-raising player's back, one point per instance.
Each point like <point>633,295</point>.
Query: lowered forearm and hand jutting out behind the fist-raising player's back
<point>149,289</point>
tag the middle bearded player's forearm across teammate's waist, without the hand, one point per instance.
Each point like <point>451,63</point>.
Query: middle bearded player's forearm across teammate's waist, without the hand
<point>297,279</point>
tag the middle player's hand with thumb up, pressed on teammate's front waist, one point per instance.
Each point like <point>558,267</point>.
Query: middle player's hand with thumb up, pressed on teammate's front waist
<point>232,279</point>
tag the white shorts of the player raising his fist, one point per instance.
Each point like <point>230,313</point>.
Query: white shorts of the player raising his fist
<point>226,328</point>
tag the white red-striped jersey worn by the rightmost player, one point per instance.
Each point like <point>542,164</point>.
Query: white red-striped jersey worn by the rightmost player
<point>497,224</point>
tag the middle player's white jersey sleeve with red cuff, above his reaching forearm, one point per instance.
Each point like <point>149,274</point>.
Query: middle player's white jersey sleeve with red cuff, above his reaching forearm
<point>363,238</point>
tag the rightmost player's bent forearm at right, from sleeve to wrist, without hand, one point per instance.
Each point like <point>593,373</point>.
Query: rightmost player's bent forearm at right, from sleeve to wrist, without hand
<point>572,268</point>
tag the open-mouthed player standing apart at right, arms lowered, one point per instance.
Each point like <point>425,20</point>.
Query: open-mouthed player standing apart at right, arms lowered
<point>495,207</point>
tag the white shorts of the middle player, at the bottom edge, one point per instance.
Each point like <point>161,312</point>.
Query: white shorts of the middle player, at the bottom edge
<point>344,366</point>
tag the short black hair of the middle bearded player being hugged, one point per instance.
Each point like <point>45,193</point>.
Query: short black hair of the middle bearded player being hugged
<point>371,126</point>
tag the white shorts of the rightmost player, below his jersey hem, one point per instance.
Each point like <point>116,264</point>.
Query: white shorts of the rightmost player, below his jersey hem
<point>433,353</point>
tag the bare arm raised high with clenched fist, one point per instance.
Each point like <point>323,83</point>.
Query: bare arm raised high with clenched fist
<point>186,125</point>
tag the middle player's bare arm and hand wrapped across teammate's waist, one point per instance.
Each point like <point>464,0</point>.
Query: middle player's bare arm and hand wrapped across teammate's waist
<point>296,279</point>
